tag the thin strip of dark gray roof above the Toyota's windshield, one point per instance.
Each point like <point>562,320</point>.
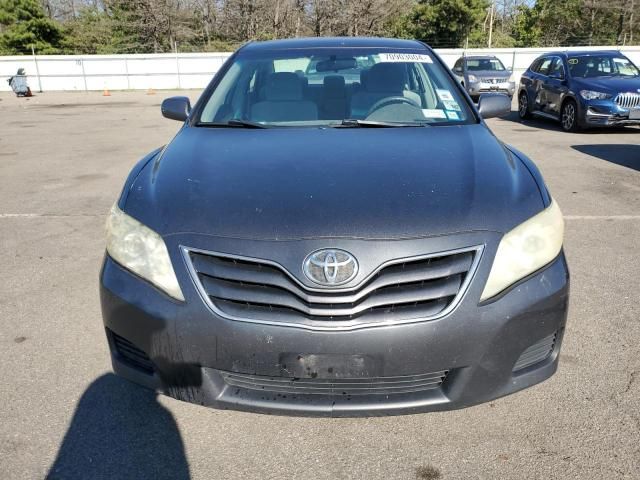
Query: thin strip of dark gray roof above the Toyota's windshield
<point>335,42</point>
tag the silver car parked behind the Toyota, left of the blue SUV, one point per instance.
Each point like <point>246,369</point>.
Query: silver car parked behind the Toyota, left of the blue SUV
<point>482,74</point>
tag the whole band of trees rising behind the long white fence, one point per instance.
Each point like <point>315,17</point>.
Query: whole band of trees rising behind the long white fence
<point>144,26</point>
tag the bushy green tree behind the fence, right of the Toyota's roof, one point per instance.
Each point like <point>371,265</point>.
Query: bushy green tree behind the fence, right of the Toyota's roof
<point>446,23</point>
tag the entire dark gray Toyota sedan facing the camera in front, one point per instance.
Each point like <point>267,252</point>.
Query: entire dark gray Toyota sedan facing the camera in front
<point>346,246</point>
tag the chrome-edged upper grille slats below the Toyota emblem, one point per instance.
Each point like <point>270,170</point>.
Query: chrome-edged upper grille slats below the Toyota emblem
<point>255,290</point>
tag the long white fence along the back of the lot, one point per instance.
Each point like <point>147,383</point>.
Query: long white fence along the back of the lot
<point>194,70</point>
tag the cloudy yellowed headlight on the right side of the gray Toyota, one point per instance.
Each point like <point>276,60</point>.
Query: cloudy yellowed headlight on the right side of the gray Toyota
<point>525,249</point>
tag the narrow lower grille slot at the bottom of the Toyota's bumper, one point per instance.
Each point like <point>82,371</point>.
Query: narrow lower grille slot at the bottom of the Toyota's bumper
<point>337,386</point>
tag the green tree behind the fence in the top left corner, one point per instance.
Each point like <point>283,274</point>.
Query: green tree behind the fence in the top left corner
<point>23,24</point>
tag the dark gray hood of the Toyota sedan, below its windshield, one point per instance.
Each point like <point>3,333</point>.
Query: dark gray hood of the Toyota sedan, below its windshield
<point>293,183</point>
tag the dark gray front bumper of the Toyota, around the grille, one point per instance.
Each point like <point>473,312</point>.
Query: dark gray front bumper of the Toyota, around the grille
<point>466,357</point>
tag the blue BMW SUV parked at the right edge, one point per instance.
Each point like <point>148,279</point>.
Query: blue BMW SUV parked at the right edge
<point>582,89</point>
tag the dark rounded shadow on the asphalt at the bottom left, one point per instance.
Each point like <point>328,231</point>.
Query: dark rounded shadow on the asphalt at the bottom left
<point>118,431</point>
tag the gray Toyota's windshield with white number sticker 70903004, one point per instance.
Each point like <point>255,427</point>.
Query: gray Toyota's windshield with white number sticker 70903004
<point>335,87</point>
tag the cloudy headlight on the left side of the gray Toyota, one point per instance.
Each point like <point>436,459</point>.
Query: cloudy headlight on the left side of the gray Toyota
<point>141,250</point>
